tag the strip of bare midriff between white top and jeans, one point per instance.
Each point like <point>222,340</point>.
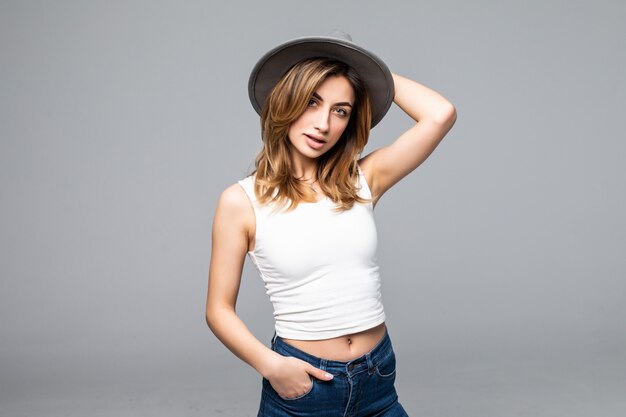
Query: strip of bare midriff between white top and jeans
<point>342,348</point>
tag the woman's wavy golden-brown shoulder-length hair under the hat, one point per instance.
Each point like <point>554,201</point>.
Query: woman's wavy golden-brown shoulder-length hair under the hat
<point>337,171</point>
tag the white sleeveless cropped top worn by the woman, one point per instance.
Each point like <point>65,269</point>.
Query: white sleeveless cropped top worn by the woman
<point>319,266</point>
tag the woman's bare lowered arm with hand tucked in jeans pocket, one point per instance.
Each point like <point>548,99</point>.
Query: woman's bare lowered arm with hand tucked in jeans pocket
<point>233,226</point>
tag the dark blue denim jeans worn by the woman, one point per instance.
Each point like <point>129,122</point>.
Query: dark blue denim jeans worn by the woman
<point>363,387</point>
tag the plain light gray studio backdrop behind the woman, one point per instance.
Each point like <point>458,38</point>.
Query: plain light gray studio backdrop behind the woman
<point>502,256</point>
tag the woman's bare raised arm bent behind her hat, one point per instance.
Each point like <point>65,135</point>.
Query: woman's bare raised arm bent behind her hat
<point>434,117</point>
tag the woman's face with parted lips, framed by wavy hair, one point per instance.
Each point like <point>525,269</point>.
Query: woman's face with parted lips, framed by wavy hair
<point>321,125</point>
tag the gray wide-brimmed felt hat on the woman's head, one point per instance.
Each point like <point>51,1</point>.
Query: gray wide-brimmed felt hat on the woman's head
<point>336,45</point>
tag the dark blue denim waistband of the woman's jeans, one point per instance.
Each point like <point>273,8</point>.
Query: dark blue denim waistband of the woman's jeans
<point>368,361</point>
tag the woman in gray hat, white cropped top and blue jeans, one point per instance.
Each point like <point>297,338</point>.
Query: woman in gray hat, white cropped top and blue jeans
<point>305,218</point>
